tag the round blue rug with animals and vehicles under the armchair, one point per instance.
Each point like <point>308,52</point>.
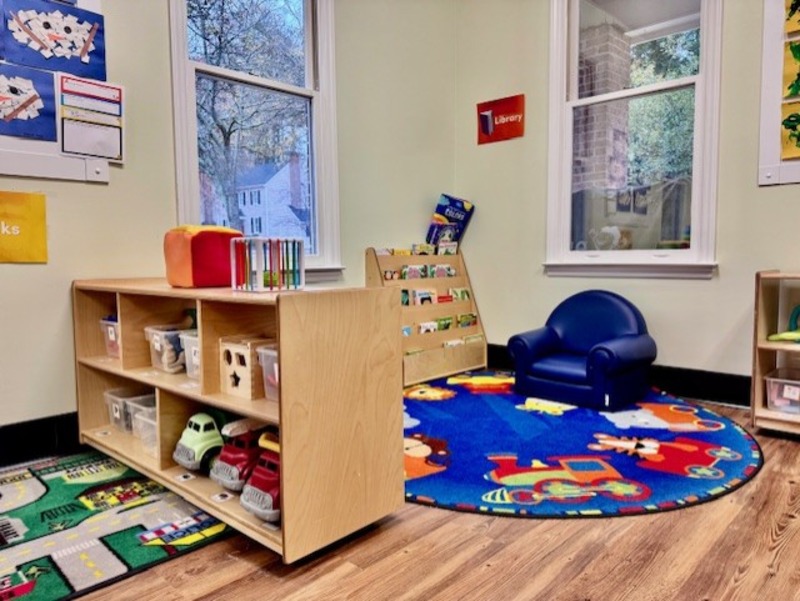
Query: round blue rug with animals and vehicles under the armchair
<point>471,444</point>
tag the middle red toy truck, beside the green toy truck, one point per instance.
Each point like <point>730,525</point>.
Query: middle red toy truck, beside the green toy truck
<point>239,453</point>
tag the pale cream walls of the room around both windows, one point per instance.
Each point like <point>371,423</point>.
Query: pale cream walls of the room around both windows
<point>409,73</point>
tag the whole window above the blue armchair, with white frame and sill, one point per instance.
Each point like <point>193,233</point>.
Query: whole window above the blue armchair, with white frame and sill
<point>633,138</point>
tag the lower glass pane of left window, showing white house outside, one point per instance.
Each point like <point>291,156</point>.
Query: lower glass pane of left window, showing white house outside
<point>254,154</point>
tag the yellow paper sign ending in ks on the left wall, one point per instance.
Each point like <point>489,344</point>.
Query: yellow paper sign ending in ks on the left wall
<point>23,228</point>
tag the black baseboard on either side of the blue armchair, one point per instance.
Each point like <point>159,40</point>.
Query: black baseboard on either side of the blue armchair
<point>681,382</point>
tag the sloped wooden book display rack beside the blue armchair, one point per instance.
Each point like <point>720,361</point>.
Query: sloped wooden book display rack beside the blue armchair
<point>427,355</point>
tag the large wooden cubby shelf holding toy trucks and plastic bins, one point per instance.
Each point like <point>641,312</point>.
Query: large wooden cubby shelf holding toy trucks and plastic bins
<point>339,409</point>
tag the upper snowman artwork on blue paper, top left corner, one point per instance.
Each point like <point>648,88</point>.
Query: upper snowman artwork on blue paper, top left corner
<point>54,37</point>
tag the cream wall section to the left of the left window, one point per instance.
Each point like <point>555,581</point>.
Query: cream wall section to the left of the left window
<point>93,230</point>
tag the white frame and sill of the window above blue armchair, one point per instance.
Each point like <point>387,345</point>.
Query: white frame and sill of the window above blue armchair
<point>697,262</point>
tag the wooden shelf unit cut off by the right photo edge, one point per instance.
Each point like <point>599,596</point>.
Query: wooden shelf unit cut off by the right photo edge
<point>777,293</point>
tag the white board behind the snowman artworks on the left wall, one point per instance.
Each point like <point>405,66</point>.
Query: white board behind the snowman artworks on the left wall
<point>26,157</point>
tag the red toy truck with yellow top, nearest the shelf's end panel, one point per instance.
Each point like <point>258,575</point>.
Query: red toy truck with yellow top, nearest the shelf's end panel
<point>261,494</point>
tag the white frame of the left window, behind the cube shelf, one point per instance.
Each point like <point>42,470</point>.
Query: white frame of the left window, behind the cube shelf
<point>327,263</point>
